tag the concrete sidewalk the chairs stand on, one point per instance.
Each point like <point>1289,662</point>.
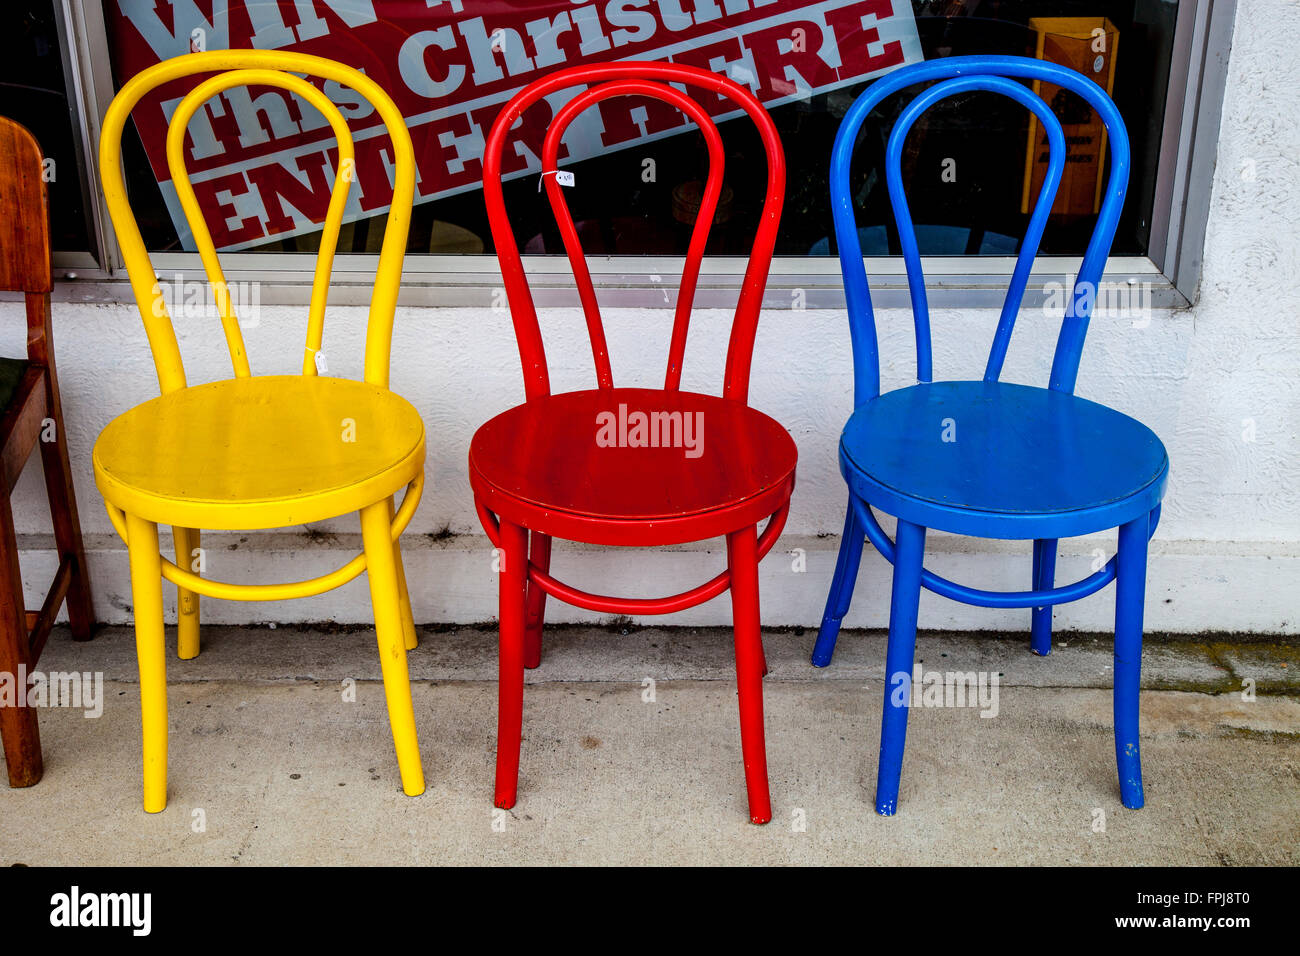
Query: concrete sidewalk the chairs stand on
<point>272,764</point>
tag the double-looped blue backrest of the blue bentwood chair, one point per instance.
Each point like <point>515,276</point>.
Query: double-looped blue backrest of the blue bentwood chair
<point>964,75</point>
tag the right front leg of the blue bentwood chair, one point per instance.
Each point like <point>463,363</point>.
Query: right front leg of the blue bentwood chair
<point>1130,600</point>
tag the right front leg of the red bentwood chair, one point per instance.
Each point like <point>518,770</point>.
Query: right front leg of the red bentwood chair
<point>743,561</point>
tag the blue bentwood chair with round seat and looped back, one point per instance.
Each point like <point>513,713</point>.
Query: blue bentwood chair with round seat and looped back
<point>990,458</point>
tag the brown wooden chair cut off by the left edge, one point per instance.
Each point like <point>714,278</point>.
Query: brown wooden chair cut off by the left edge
<point>31,414</point>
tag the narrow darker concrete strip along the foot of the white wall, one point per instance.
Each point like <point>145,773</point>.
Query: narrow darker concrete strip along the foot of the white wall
<point>630,654</point>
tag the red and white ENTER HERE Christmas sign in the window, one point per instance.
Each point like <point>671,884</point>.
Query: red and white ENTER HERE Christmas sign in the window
<point>263,162</point>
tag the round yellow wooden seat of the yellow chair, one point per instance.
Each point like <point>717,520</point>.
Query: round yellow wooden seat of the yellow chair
<point>263,452</point>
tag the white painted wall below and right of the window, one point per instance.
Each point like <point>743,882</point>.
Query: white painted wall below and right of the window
<point>1227,556</point>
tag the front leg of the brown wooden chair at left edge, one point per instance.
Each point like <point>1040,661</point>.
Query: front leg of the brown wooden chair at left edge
<point>19,728</point>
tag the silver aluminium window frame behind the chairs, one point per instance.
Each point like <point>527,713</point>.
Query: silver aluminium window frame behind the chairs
<point>1171,274</point>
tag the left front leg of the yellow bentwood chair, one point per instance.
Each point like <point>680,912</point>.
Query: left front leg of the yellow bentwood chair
<point>142,543</point>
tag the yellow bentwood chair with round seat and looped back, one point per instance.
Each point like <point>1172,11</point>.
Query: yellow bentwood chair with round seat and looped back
<point>262,452</point>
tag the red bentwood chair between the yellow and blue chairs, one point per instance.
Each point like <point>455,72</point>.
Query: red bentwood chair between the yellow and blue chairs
<point>574,465</point>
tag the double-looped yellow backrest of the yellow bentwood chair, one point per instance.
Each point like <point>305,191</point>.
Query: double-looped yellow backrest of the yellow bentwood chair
<point>261,68</point>
